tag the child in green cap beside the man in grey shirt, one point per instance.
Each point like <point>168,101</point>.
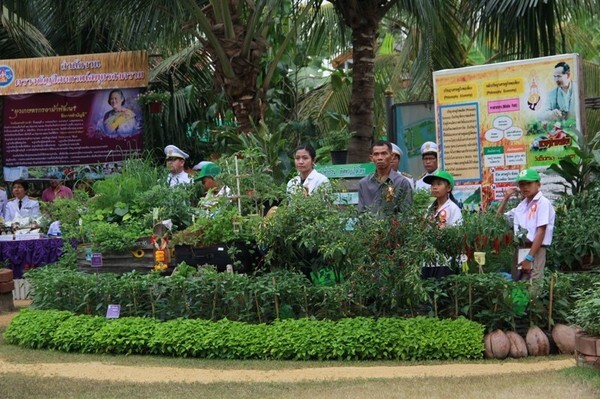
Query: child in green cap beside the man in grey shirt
<point>445,212</point>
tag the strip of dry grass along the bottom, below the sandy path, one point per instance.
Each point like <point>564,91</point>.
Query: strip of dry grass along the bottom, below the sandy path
<point>572,384</point>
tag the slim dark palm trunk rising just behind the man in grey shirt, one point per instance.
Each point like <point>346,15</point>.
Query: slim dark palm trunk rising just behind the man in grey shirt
<point>364,36</point>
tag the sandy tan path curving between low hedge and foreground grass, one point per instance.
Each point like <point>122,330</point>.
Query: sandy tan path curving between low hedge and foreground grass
<point>104,371</point>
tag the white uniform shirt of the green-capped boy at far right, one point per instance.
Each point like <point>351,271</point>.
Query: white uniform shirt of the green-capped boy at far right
<point>533,214</point>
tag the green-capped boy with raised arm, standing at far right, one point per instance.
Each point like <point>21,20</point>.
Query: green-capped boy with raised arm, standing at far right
<point>536,215</point>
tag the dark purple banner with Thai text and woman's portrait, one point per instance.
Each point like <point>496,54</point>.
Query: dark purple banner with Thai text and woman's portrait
<point>72,128</point>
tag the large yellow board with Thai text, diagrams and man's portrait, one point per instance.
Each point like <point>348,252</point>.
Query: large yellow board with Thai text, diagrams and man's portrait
<point>494,120</point>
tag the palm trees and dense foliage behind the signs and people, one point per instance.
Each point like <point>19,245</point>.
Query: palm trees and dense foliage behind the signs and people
<point>231,64</point>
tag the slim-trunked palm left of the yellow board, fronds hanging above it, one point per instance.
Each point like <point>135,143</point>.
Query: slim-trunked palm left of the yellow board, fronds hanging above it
<point>517,28</point>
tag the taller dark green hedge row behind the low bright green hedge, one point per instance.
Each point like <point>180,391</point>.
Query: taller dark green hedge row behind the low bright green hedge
<point>484,298</point>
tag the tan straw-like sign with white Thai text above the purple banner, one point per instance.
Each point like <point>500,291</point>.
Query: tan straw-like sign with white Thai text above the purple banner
<point>74,73</point>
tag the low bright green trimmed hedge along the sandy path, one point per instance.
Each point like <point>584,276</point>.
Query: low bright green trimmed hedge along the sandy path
<point>358,338</point>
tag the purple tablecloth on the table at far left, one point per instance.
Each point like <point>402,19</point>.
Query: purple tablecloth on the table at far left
<point>27,254</point>
